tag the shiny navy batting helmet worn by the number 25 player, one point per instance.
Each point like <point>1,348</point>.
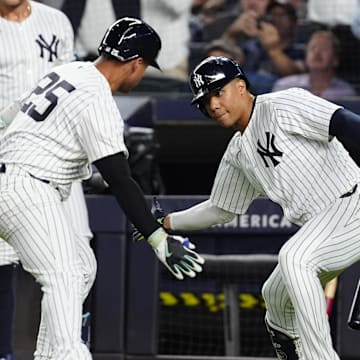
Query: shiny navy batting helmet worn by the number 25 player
<point>129,38</point>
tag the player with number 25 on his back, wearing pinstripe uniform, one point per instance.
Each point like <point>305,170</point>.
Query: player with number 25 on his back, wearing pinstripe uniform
<point>66,122</point>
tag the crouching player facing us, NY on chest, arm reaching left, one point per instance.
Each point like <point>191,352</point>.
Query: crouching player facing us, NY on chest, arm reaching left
<point>288,146</point>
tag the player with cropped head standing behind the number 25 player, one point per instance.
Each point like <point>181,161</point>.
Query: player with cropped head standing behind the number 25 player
<point>34,39</point>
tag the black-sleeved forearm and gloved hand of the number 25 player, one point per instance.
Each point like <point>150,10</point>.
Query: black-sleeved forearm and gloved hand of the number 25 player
<point>178,259</point>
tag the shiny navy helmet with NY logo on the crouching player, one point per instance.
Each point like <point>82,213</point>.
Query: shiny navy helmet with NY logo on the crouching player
<point>212,74</point>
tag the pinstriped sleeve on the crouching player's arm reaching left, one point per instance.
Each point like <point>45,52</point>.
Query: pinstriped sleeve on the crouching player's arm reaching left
<point>232,191</point>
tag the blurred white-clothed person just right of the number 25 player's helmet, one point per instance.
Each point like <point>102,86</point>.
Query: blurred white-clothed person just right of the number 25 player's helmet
<point>170,18</point>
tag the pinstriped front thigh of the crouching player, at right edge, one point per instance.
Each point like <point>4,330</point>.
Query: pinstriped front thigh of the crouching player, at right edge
<point>330,242</point>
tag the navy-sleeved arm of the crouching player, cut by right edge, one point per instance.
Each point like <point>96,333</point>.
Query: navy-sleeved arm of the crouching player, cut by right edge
<point>345,125</point>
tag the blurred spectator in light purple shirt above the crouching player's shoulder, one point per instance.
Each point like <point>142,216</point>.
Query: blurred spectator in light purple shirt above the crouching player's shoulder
<point>322,59</point>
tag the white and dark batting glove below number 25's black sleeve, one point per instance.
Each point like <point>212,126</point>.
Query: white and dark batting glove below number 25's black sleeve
<point>171,250</point>
